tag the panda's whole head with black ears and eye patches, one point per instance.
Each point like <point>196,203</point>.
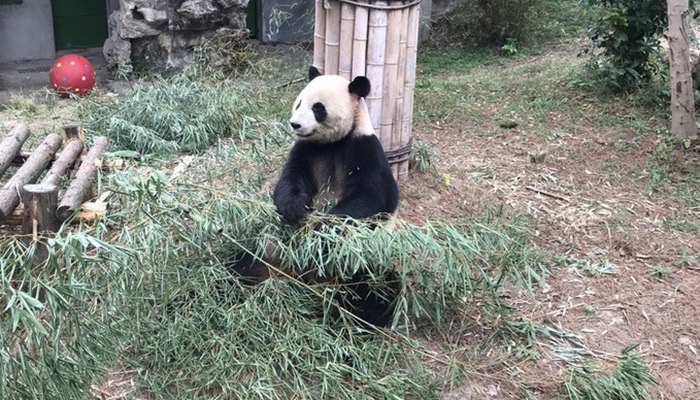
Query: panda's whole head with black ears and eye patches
<point>330,107</point>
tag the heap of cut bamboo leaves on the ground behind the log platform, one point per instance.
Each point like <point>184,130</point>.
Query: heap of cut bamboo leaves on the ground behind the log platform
<point>183,113</point>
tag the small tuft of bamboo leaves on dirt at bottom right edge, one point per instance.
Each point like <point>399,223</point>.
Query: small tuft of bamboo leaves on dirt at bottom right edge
<point>625,382</point>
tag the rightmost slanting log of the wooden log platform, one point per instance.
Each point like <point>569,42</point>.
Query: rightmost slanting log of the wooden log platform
<point>82,183</point>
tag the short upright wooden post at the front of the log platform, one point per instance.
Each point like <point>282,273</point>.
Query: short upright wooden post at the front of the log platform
<point>39,219</point>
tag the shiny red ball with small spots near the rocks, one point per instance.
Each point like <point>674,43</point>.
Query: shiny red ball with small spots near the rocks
<point>72,74</point>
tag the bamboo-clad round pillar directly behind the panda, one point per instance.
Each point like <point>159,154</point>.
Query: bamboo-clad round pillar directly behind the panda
<point>377,39</point>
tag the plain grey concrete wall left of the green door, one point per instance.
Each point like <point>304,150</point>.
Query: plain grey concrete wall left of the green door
<point>26,31</point>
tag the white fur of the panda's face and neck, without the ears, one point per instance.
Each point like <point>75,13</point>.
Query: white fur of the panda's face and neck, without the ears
<point>343,109</point>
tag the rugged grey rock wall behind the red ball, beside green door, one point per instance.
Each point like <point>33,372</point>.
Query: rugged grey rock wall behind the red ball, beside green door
<point>160,35</point>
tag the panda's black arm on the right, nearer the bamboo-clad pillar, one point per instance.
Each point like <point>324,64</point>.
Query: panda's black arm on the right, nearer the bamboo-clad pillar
<point>369,187</point>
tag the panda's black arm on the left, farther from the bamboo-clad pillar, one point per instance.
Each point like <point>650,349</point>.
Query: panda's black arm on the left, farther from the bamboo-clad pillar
<point>296,188</point>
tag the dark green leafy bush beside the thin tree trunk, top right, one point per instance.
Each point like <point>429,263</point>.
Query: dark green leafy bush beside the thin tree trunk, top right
<point>628,32</point>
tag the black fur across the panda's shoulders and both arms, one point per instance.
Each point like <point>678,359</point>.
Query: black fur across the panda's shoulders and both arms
<point>369,187</point>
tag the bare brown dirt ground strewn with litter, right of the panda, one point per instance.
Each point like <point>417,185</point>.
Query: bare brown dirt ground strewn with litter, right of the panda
<point>610,223</point>
